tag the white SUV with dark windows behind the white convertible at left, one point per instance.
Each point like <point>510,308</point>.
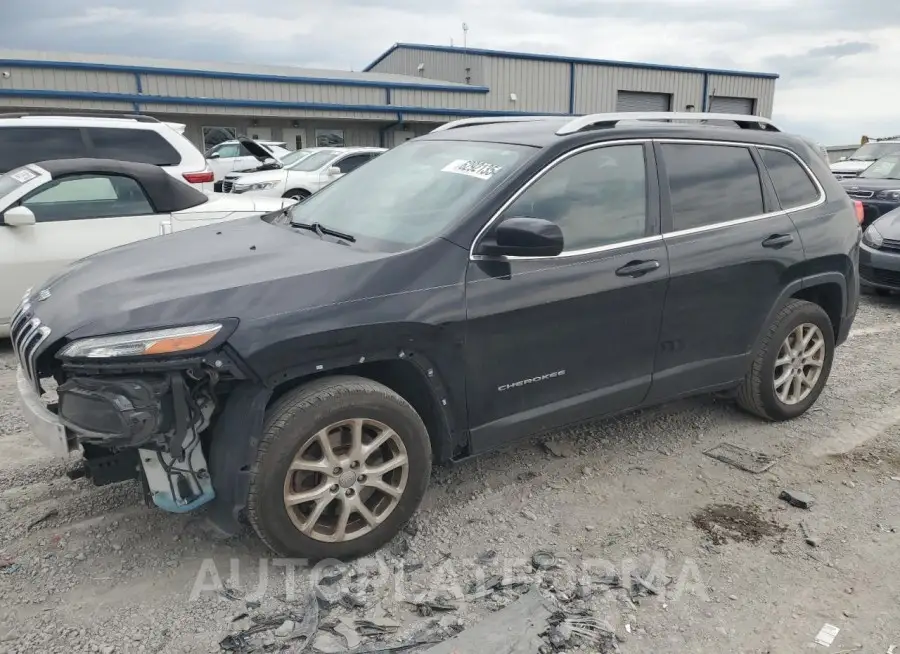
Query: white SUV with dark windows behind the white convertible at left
<point>29,137</point>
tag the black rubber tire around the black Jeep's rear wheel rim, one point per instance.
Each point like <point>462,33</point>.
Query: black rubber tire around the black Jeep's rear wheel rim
<point>757,392</point>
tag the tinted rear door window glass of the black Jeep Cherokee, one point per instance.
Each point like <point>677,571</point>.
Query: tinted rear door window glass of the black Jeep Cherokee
<point>711,184</point>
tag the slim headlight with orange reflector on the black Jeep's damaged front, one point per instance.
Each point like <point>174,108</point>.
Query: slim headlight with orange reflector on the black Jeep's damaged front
<point>159,341</point>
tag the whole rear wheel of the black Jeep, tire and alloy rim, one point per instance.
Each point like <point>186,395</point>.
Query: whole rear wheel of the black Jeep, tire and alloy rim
<point>792,365</point>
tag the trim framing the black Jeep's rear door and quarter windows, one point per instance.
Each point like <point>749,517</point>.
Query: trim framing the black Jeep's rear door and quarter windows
<point>668,230</point>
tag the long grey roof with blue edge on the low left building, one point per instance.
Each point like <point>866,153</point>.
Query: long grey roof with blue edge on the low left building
<point>286,74</point>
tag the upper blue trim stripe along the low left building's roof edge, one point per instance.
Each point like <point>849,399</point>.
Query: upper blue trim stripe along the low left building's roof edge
<point>253,77</point>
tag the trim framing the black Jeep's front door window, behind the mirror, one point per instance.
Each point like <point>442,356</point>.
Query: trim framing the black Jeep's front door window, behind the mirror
<point>652,188</point>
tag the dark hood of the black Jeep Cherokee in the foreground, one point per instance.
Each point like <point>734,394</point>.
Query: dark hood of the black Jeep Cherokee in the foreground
<point>204,274</point>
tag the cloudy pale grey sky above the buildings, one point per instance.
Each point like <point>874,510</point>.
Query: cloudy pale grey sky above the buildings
<point>839,60</point>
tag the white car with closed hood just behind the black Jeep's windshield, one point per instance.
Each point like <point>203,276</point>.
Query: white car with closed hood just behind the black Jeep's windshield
<point>300,178</point>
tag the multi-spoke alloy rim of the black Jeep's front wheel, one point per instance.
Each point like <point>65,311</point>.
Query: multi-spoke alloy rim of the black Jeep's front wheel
<point>346,480</point>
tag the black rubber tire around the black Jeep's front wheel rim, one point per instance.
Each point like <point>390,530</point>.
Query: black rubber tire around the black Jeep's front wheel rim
<point>293,421</point>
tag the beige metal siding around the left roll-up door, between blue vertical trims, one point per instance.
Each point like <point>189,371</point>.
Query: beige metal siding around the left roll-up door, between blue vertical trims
<point>597,87</point>
